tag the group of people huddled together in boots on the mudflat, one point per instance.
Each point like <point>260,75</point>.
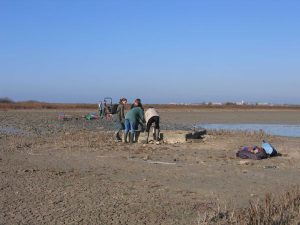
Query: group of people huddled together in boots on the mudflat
<point>131,121</point>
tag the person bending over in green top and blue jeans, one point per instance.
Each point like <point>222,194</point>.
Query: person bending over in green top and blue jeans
<point>132,118</point>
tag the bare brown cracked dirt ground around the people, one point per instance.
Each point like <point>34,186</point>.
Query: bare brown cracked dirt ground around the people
<point>71,172</point>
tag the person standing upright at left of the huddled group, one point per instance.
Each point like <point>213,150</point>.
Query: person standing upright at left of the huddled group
<point>119,119</point>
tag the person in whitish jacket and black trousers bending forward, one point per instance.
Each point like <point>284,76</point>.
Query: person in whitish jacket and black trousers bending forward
<point>151,116</point>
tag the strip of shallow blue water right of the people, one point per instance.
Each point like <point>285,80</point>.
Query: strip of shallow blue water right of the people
<point>272,129</point>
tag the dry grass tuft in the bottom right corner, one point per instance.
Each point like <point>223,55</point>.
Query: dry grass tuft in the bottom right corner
<point>282,209</point>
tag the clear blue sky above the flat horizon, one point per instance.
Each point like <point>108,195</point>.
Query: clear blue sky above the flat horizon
<point>158,50</point>
